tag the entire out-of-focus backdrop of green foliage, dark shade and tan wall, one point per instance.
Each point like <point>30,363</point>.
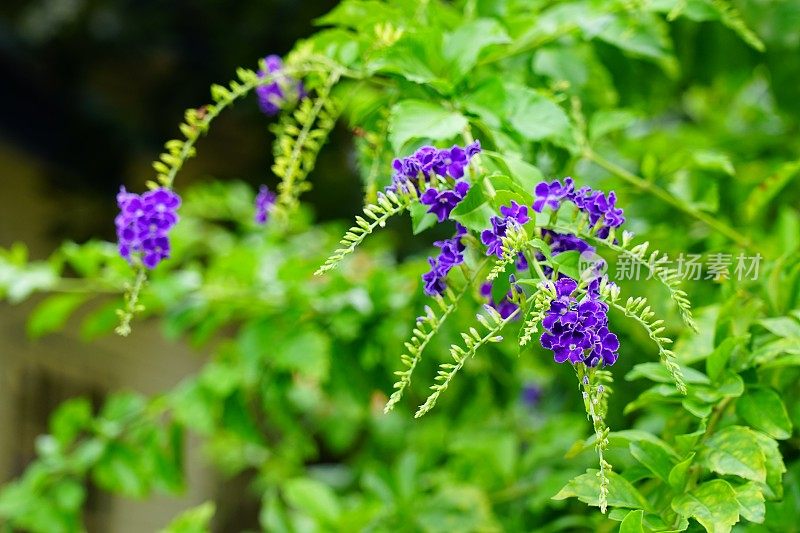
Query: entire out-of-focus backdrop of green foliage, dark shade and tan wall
<point>92,89</point>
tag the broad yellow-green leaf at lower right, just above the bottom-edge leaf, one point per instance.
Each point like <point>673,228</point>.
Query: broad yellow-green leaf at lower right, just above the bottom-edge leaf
<point>735,450</point>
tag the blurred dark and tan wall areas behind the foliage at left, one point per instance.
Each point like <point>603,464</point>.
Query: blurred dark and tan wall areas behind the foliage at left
<point>91,90</point>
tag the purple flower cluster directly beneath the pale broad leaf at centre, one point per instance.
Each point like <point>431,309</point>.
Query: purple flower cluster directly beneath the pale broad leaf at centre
<point>429,161</point>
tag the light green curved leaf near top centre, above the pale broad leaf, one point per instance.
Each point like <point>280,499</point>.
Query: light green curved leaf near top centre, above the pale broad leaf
<point>464,45</point>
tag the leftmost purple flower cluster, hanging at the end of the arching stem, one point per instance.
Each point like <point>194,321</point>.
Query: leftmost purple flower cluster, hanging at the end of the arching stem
<point>144,222</point>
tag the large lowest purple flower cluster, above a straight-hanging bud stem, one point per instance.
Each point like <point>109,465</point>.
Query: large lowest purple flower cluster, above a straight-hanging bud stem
<point>577,331</point>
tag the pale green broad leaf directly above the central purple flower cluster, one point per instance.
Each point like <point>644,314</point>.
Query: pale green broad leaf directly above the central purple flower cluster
<point>419,119</point>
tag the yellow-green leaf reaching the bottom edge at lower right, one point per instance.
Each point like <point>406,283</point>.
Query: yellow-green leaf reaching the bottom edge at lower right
<point>713,504</point>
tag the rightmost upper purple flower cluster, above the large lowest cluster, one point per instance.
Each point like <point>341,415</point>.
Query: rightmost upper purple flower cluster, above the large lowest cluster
<point>600,207</point>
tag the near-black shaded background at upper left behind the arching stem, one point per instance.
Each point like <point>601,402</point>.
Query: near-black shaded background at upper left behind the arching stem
<point>91,89</point>
